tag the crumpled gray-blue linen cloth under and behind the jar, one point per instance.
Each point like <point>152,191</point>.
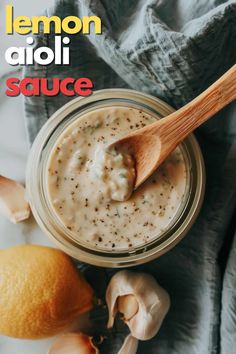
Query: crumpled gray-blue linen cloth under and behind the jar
<point>172,49</point>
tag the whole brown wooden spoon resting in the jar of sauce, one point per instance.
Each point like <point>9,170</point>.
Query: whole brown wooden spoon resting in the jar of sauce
<point>152,144</point>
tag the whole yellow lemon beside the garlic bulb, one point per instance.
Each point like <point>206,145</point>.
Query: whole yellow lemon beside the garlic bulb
<point>41,292</point>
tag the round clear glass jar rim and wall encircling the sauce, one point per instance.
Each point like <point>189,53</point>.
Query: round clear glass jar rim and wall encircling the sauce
<point>45,215</point>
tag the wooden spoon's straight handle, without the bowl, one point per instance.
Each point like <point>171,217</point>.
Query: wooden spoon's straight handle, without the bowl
<point>174,128</point>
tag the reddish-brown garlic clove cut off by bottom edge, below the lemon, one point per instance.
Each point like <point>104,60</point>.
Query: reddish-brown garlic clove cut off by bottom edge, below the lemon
<point>73,343</point>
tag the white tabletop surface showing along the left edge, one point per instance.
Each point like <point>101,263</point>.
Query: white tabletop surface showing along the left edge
<point>13,158</point>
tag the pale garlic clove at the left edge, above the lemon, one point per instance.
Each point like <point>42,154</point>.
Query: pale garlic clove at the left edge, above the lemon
<point>12,200</point>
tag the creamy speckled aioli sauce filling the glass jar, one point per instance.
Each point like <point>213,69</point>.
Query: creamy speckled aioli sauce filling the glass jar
<point>86,182</point>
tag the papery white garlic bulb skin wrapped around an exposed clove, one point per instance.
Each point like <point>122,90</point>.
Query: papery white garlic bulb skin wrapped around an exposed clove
<point>153,301</point>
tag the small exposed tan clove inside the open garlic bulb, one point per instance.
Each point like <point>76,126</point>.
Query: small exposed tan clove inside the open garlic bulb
<point>128,306</point>
